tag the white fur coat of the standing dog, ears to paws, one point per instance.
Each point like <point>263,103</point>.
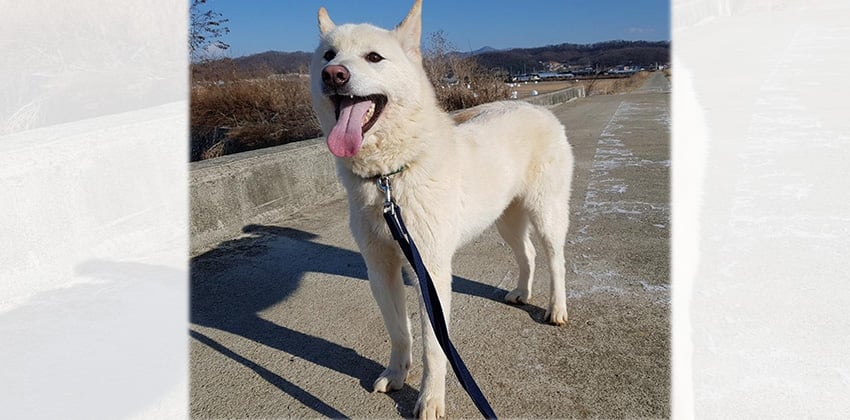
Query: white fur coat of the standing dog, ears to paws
<point>505,162</point>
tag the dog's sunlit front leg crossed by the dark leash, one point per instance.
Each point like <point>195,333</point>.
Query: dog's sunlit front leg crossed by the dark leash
<point>432,391</point>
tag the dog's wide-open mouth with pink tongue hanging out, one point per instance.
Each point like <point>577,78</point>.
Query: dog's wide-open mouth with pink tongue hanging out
<point>355,115</point>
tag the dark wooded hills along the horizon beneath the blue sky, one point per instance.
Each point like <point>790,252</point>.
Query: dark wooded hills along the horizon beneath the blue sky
<point>602,54</point>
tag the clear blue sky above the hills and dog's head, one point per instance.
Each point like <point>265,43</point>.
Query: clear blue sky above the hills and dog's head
<point>290,25</point>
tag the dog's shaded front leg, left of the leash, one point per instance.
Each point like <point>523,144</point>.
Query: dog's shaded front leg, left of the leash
<point>384,269</point>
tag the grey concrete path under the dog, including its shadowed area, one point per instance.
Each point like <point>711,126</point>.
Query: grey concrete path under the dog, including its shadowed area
<point>283,323</point>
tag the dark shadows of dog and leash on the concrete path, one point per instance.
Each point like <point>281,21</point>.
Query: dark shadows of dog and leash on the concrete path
<point>231,284</point>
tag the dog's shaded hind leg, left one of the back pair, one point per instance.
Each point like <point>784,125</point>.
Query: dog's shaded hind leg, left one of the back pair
<point>514,227</point>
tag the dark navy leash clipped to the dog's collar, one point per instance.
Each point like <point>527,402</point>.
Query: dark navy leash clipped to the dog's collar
<point>392,214</point>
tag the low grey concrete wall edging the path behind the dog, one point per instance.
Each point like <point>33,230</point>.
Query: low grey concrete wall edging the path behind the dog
<point>266,185</point>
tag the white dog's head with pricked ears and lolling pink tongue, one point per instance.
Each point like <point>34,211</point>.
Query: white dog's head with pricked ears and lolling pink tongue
<point>362,74</point>
